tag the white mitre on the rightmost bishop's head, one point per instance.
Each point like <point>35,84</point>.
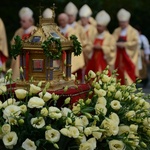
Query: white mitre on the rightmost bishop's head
<point>123,15</point>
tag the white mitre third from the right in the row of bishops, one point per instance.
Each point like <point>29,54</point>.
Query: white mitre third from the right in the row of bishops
<point>85,11</point>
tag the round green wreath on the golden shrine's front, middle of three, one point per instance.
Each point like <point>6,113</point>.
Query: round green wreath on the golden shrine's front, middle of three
<point>52,43</point>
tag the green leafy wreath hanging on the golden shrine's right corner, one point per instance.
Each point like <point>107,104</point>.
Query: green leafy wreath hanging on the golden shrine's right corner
<point>76,45</point>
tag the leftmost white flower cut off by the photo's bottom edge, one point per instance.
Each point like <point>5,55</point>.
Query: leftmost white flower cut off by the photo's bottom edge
<point>29,145</point>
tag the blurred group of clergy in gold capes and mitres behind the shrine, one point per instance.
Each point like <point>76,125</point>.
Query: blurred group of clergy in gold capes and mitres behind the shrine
<point>126,49</point>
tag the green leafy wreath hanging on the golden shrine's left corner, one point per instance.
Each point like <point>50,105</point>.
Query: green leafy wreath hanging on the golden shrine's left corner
<point>16,48</point>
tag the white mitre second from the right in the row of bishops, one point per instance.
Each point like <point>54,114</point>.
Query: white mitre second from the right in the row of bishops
<point>102,18</point>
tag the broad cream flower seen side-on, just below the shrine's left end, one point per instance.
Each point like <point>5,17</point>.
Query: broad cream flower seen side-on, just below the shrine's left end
<point>35,102</point>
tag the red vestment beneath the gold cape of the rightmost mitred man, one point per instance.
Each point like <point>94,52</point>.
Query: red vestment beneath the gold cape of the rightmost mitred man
<point>123,63</point>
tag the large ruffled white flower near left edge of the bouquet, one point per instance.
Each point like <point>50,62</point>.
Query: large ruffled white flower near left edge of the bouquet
<point>11,110</point>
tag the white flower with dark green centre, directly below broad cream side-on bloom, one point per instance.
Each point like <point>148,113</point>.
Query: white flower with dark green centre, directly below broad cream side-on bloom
<point>38,122</point>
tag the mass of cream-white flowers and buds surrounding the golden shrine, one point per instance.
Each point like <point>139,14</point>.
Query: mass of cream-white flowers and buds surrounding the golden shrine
<point>111,117</point>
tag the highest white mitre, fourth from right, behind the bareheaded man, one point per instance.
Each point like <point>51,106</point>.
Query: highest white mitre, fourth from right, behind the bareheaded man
<point>71,9</point>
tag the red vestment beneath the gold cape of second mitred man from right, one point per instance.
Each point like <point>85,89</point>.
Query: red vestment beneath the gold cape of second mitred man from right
<point>98,61</point>
